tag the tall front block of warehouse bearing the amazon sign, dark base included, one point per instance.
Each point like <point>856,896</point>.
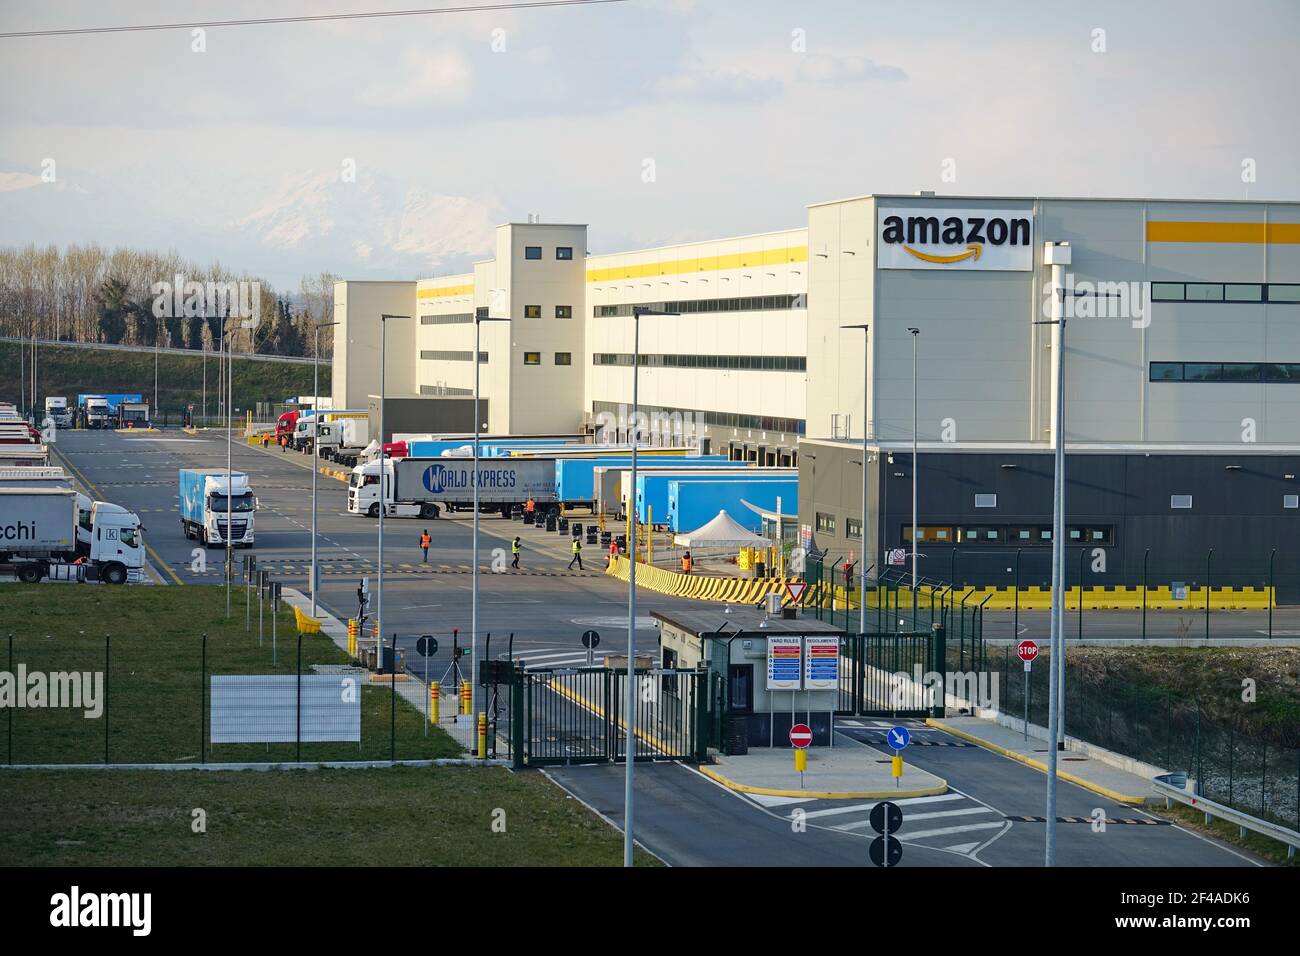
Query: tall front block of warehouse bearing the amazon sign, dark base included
<point>1182,388</point>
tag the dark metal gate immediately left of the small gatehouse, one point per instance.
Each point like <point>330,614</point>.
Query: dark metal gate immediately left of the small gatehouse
<point>578,716</point>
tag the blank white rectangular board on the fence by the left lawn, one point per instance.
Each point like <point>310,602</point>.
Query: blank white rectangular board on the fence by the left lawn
<point>263,708</point>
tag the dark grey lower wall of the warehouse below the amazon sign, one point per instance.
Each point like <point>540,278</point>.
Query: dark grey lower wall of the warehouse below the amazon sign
<point>1237,511</point>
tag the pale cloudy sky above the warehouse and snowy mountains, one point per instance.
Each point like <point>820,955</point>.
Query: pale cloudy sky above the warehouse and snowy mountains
<point>748,110</point>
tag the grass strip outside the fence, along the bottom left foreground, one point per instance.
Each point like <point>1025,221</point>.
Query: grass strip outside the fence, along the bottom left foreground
<point>383,817</point>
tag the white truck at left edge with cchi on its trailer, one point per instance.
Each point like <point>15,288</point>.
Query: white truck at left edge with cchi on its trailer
<point>38,538</point>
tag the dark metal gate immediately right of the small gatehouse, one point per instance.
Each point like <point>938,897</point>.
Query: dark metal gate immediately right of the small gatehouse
<point>886,674</point>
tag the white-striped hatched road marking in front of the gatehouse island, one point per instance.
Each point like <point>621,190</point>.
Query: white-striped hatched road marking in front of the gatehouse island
<point>954,823</point>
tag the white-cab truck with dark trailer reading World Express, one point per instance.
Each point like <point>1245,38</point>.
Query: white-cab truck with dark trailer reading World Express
<point>427,487</point>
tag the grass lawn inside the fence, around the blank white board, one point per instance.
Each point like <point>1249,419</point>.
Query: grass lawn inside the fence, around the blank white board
<point>155,677</point>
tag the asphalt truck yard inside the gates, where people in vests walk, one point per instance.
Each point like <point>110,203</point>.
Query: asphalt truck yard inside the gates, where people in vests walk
<point>545,605</point>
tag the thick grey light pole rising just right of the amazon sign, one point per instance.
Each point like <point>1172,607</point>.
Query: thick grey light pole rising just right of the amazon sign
<point>1058,256</point>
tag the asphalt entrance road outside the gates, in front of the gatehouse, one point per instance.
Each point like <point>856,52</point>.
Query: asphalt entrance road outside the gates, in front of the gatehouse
<point>993,816</point>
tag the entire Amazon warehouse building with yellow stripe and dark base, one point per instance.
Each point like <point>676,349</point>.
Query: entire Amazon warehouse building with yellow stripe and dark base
<point>1182,371</point>
